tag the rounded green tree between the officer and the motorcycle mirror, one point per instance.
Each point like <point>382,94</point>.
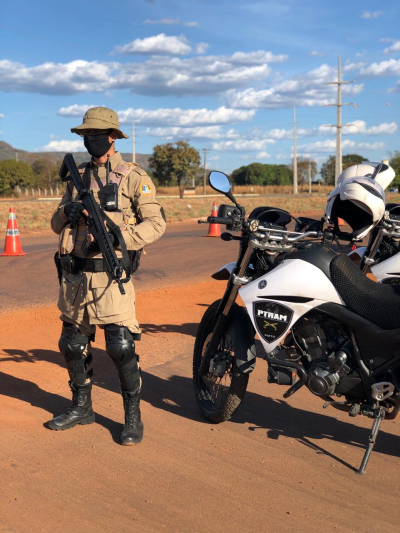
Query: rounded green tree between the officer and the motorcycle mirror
<point>175,164</point>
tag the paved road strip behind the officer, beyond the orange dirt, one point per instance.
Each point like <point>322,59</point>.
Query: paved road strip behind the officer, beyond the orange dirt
<point>181,256</point>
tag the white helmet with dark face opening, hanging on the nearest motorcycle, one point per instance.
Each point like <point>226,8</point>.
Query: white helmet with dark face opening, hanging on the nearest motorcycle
<point>360,202</point>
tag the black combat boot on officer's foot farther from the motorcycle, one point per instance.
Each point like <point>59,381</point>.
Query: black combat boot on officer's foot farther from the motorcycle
<point>80,412</point>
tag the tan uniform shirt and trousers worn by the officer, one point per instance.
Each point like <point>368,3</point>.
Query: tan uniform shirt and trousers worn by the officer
<point>88,299</point>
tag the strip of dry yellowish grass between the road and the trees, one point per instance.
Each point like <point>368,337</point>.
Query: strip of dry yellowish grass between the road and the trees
<point>35,216</point>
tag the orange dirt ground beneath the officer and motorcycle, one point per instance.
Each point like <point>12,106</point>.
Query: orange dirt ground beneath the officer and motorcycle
<point>279,465</point>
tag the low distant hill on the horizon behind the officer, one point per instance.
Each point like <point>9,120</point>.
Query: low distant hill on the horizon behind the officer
<point>8,152</point>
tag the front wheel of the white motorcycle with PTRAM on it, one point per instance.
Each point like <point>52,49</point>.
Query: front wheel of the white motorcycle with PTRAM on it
<point>220,392</point>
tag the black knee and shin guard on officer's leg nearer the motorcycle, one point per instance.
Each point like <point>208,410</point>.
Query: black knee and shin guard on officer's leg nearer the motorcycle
<point>120,347</point>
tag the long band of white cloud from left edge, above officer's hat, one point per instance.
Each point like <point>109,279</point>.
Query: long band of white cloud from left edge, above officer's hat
<point>157,76</point>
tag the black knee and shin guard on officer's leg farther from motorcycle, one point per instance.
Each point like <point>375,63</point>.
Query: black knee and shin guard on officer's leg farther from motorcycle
<point>72,344</point>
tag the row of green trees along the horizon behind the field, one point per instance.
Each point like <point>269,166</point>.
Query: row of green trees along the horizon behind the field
<point>177,164</point>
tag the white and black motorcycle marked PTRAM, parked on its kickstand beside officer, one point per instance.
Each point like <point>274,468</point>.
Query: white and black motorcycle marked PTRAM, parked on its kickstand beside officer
<point>322,323</point>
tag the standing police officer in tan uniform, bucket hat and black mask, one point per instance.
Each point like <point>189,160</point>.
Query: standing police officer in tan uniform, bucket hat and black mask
<point>88,297</point>
